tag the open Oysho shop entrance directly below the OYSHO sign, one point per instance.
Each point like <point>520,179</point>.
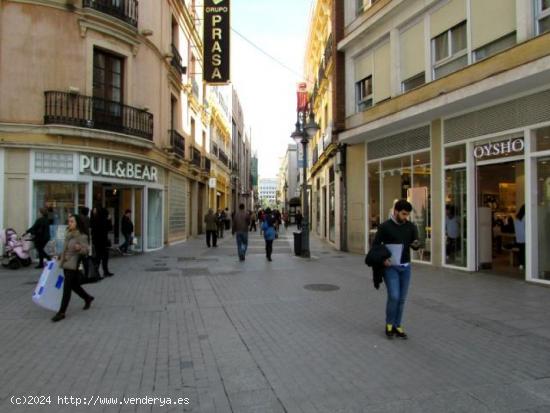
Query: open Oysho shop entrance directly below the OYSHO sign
<point>500,234</point>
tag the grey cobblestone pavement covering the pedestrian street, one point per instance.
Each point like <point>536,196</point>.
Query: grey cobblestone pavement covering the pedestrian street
<point>191,322</point>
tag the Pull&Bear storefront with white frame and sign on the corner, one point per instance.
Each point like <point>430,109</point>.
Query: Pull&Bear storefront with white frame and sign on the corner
<point>65,182</point>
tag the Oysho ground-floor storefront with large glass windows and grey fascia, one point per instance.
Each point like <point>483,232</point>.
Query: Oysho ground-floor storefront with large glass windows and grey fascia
<point>491,189</point>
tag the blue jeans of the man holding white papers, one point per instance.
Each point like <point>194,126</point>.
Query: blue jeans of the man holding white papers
<point>397,279</point>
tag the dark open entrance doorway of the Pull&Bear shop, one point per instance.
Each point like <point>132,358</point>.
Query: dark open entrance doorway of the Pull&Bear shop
<point>117,199</point>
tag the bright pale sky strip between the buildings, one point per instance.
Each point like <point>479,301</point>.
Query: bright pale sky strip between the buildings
<point>267,90</point>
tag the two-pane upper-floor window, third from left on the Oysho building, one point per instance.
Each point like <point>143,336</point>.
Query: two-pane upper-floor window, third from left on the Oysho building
<point>449,51</point>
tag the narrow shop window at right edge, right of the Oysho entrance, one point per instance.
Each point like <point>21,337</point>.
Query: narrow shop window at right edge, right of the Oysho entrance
<point>542,217</point>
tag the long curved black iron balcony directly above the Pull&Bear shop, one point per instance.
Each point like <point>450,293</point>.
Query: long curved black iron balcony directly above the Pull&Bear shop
<point>94,113</point>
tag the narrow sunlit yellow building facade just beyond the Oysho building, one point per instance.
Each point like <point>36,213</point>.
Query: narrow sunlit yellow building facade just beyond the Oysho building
<point>324,71</point>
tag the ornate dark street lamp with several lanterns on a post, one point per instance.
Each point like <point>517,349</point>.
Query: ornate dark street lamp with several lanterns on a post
<point>302,134</point>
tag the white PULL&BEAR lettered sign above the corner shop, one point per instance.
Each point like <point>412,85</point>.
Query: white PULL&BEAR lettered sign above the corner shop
<point>112,168</point>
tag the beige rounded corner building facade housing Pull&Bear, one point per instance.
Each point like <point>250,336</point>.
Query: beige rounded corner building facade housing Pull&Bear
<point>104,106</point>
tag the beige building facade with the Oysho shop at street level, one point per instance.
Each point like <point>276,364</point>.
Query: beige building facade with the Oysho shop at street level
<point>447,105</point>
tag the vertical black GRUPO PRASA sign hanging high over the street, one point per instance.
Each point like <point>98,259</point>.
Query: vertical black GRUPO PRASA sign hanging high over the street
<point>216,41</point>
